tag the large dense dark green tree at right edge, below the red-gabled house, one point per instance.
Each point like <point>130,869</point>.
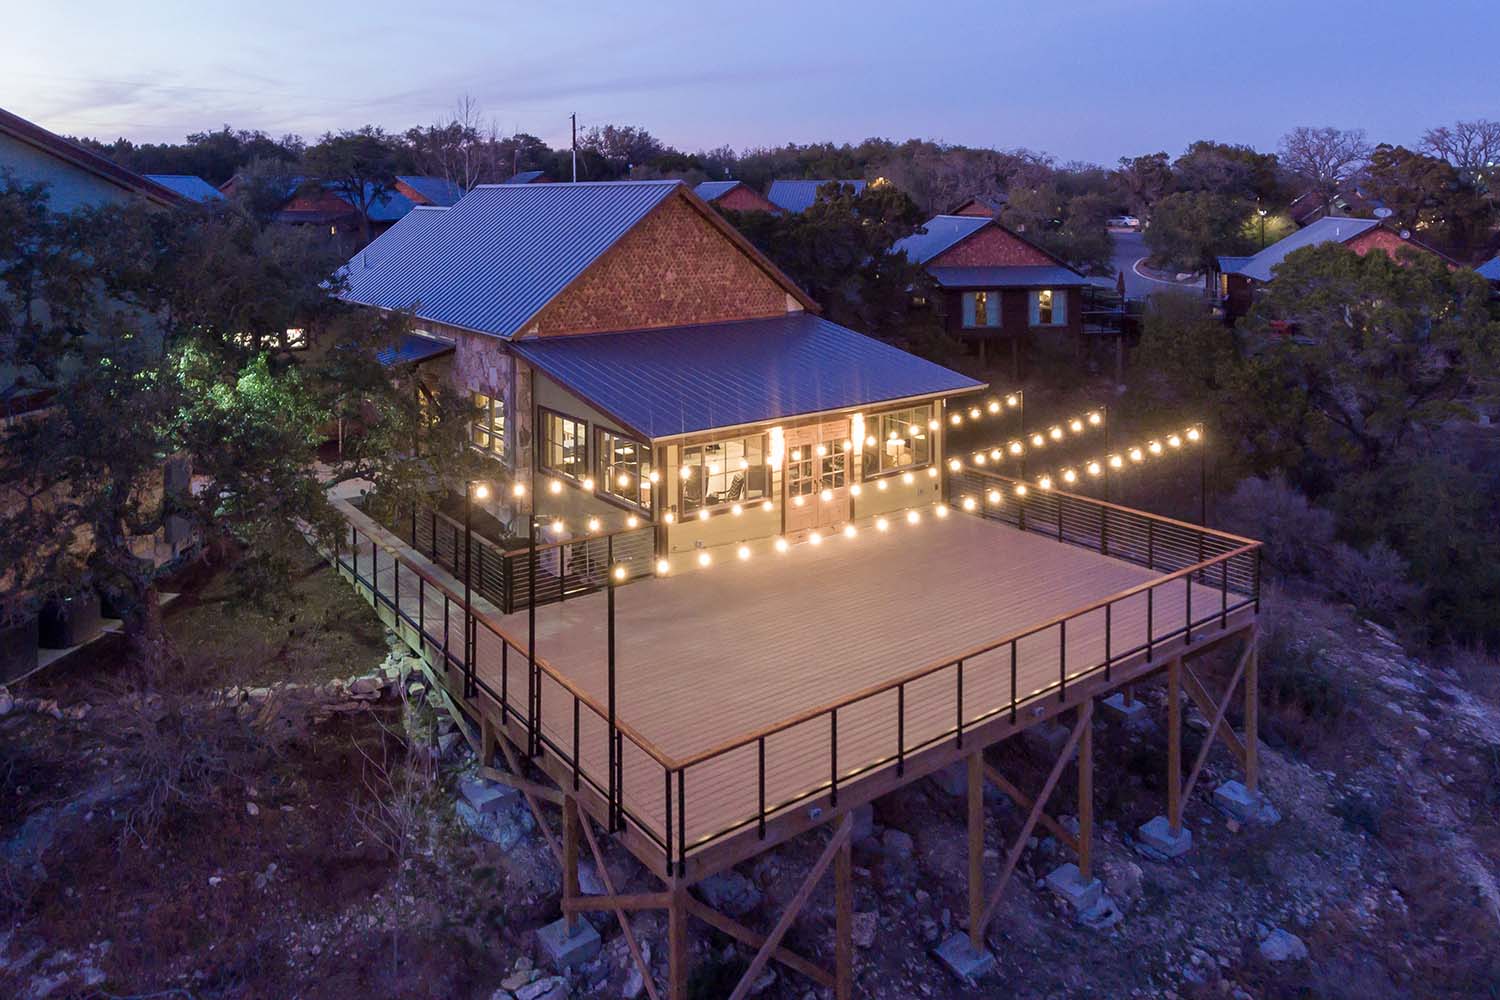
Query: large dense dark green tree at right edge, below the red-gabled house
<point>1385,355</point>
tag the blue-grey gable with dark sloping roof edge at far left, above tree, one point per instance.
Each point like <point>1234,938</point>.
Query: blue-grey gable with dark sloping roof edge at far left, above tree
<point>76,178</point>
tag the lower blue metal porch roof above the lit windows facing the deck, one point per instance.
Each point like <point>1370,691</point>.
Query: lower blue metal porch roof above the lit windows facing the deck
<point>683,380</point>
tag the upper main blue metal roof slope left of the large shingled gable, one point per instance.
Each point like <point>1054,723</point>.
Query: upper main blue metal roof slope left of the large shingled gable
<point>496,259</point>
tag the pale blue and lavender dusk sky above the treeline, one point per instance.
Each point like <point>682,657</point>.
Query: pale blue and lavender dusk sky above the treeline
<point>1088,80</point>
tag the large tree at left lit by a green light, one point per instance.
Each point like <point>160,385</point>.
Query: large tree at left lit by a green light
<point>172,355</point>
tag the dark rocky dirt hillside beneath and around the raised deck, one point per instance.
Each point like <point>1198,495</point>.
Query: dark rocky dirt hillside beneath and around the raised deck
<point>265,875</point>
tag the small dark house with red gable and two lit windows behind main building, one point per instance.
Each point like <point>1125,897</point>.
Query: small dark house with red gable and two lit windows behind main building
<point>997,286</point>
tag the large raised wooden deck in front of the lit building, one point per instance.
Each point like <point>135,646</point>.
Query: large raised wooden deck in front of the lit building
<point>707,657</point>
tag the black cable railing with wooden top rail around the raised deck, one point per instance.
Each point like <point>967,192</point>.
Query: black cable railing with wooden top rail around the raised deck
<point>1207,576</point>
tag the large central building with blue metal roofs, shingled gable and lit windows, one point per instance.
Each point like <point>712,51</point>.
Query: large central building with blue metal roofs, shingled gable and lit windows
<point>628,352</point>
